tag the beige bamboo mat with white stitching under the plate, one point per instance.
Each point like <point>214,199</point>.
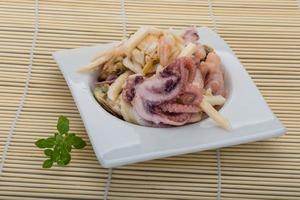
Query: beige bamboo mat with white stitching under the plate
<point>264,34</point>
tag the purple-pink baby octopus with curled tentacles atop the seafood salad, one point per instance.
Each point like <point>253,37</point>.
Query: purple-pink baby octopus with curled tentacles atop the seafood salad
<point>155,99</point>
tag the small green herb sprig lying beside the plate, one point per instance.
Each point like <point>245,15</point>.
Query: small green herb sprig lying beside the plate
<point>57,148</point>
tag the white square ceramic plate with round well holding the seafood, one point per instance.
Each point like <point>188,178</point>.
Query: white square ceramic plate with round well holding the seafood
<point>117,142</point>
